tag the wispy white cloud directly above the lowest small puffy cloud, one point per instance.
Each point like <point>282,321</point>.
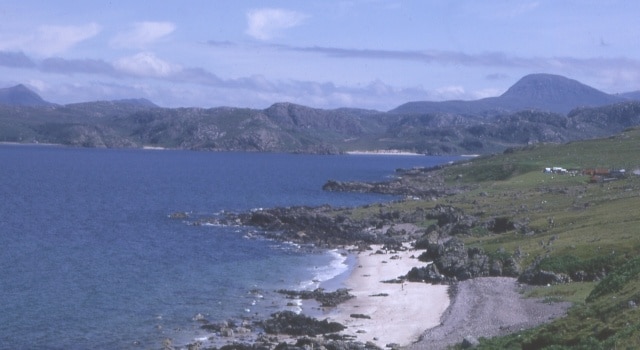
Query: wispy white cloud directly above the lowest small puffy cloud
<point>143,34</point>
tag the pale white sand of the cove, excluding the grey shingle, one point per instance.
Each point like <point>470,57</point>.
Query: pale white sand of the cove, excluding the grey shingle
<point>403,315</point>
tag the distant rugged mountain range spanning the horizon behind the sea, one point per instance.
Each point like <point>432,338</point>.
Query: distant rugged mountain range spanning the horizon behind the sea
<point>538,108</point>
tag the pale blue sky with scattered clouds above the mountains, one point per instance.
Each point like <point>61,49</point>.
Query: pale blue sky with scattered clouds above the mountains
<point>373,54</point>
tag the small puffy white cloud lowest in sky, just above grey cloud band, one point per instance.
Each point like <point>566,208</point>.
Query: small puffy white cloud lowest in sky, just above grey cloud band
<point>146,64</point>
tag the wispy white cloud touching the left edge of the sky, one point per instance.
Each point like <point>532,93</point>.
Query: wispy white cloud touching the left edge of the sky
<point>49,39</point>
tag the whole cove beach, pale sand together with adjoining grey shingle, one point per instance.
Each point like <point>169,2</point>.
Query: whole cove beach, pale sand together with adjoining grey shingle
<point>423,316</point>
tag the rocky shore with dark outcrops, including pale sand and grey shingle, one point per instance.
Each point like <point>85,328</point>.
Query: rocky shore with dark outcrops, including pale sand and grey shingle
<point>484,286</point>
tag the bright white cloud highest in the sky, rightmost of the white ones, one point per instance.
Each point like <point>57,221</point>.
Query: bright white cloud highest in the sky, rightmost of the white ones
<point>264,24</point>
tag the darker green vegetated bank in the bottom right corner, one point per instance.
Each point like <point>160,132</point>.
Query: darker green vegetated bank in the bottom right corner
<point>609,318</point>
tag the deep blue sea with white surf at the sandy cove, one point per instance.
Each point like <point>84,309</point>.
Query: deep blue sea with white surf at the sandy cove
<point>90,257</point>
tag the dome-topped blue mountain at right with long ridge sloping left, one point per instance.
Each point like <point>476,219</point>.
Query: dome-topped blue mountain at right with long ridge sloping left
<point>543,92</point>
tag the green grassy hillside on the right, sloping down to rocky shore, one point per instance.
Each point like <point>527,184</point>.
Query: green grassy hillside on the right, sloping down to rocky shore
<point>572,225</point>
